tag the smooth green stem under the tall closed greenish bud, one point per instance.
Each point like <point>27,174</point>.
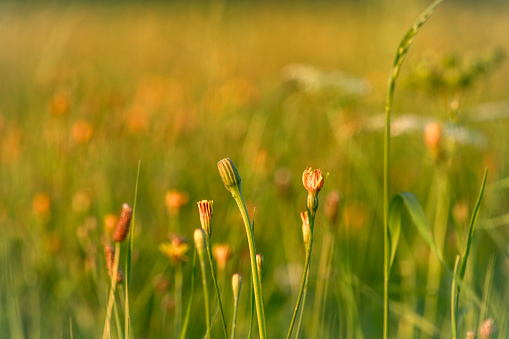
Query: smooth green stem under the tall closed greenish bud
<point>239,199</point>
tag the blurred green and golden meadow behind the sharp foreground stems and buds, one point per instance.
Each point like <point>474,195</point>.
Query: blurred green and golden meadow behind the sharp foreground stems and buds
<point>87,91</point>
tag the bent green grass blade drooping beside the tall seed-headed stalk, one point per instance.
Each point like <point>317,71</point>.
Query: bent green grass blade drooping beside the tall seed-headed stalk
<point>408,200</point>
